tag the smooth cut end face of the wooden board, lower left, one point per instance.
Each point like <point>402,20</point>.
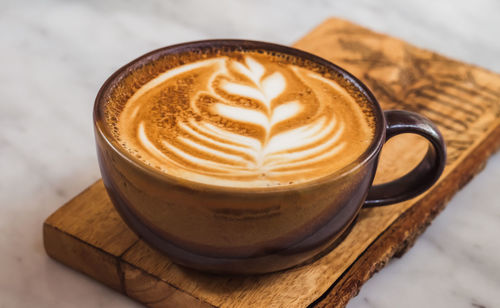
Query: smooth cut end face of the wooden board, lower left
<point>118,275</point>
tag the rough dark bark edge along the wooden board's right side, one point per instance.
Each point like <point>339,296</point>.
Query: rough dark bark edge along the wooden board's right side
<point>403,232</point>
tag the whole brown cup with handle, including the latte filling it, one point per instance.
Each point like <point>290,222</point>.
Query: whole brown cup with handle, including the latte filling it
<point>245,157</point>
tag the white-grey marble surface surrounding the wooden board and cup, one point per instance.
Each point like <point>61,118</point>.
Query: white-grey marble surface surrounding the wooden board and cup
<point>56,54</point>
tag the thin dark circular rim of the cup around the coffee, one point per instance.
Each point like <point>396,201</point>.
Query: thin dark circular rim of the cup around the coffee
<point>238,44</point>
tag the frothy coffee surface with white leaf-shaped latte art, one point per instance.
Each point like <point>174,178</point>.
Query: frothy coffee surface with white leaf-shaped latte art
<point>244,119</point>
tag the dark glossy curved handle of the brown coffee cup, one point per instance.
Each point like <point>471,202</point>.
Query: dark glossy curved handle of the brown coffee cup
<point>425,174</point>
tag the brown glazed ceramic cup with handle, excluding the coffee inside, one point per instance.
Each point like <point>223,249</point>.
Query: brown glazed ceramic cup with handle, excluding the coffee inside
<point>254,230</point>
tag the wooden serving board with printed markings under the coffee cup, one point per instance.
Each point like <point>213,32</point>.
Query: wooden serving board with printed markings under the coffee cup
<point>463,100</point>
